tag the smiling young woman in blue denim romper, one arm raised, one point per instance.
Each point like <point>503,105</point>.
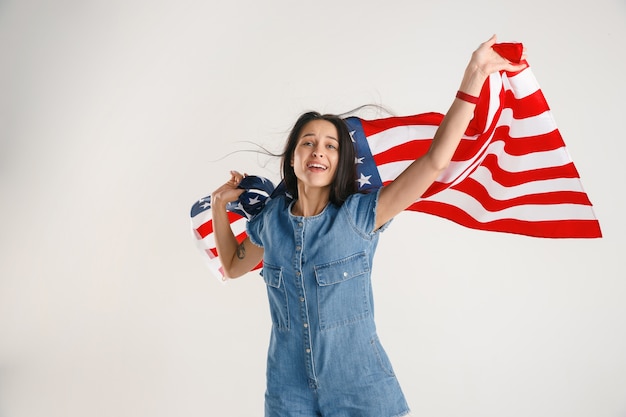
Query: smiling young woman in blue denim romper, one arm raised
<point>324,357</point>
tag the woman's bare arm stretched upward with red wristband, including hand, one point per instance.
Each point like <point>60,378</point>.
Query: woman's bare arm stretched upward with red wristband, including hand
<point>418,176</point>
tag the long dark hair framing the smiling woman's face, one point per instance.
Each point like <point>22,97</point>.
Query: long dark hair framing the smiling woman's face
<point>344,183</point>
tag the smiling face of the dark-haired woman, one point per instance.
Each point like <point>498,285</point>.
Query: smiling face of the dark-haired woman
<point>316,155</point>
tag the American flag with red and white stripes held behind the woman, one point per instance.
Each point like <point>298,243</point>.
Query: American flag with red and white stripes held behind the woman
<point>511,172</point>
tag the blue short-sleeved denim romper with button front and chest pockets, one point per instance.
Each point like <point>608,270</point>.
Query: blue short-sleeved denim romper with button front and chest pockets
<point>324,358</point>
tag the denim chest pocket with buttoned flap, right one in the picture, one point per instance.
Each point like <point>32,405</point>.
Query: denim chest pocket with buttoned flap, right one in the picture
<point>343,291</point>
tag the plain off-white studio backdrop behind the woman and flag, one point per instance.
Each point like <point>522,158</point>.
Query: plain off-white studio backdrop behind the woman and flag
<point>112,114</point>
